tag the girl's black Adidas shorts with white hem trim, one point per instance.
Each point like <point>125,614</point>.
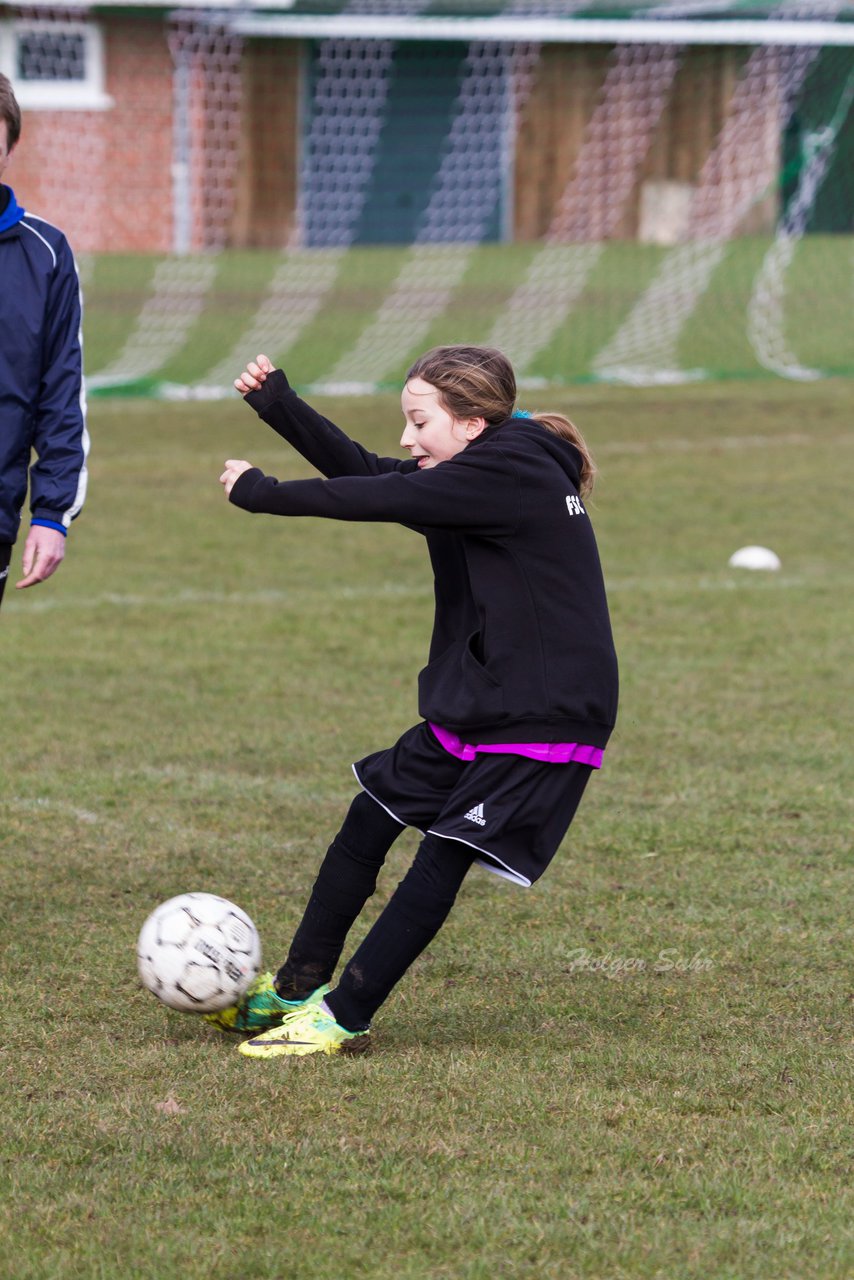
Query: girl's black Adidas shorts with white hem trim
<point>513,811</point>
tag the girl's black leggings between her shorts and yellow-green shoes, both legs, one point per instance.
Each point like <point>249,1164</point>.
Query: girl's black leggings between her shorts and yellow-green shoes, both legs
<point>413,917</point>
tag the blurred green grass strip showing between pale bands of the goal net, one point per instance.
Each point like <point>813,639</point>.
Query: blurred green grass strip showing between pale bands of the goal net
<point>816,303</point>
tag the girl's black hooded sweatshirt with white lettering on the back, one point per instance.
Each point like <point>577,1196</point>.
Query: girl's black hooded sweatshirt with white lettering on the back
<point>522,647</point>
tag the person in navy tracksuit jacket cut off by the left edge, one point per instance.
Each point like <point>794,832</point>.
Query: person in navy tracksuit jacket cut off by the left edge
<point>43,406</point>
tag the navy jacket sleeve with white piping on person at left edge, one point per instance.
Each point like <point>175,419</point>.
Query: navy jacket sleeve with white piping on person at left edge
<point>58,478</point>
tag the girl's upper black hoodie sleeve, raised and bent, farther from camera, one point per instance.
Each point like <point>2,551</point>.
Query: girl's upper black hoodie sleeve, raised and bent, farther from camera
<point>319,441</point>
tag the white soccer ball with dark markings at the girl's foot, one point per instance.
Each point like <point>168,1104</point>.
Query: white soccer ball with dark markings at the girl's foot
<point>199,953</point>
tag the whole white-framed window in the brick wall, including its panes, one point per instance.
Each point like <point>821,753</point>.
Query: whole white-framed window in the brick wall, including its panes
<point>54,66</point>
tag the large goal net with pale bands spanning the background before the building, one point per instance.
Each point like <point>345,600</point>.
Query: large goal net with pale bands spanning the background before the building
<point>646,196</point>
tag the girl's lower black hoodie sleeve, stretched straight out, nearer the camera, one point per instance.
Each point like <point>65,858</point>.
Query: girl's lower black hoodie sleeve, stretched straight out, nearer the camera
<point>478,493</point>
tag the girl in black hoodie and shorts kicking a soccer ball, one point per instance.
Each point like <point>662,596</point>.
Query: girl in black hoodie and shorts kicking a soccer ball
<point>518,700</point>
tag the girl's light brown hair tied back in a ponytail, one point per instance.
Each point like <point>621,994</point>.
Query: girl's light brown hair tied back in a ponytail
<point>479,382</point>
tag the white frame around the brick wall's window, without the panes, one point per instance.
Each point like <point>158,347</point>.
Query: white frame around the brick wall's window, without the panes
<point>80,95</point>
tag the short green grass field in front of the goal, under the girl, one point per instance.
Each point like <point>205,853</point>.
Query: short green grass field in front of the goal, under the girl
<point>636,1071</point>
